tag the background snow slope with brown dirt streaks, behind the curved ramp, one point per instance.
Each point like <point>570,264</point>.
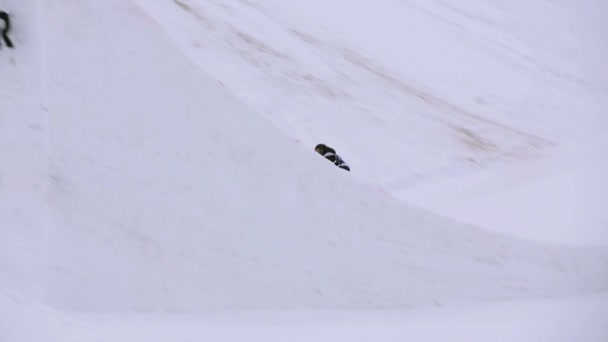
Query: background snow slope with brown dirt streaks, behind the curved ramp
<point>430,100</point>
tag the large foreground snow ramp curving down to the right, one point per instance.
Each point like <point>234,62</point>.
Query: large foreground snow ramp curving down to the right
<point>132,182</point>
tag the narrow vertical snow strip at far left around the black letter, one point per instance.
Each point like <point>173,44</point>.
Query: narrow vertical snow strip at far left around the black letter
<point>23,152</point>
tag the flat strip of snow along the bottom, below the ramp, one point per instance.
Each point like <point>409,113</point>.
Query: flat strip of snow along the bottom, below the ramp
<point>563,320</point>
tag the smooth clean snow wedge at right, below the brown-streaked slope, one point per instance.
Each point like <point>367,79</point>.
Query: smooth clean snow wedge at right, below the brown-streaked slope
<point>560,198</point>
